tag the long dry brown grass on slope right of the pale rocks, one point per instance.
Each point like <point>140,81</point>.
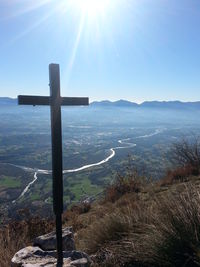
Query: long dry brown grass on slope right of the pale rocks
<point>161,232</point>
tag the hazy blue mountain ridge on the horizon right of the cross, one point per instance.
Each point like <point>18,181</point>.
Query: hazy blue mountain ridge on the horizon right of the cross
<point>148,104</point>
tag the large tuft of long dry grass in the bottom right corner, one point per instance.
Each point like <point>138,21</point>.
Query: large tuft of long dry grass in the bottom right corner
<point>175,232</point>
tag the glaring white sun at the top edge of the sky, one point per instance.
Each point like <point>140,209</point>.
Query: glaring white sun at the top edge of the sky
<point>90,8</point>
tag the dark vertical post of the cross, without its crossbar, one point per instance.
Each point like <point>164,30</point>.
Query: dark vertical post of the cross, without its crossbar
<point>56,136</point>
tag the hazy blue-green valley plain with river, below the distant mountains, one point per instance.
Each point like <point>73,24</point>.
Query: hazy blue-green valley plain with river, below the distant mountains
<point>99,143</point>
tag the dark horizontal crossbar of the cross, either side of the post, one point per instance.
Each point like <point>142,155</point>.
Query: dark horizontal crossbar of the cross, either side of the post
<point>46,100</point>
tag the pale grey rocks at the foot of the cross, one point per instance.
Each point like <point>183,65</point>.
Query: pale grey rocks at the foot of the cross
<point>43,252</point>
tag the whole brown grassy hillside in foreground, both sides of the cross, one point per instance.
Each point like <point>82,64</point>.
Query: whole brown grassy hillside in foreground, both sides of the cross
<point>136,223</point>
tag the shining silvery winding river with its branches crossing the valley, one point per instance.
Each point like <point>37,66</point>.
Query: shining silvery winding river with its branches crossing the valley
<point>112,154</point>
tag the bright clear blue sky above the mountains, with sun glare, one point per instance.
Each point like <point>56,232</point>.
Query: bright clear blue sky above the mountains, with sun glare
<point>128,49</point>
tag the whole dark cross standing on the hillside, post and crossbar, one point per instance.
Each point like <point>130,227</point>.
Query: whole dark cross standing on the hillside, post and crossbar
<point>55,101</point>
